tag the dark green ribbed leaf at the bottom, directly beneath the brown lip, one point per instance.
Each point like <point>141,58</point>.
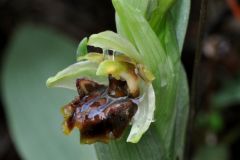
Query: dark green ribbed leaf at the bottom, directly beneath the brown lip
<point>147,148</point>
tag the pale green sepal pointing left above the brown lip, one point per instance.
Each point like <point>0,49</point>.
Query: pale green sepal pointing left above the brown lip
<point>67,77</point>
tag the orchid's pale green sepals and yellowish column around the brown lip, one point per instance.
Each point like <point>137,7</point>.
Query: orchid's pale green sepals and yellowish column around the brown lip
<point>124,64</point>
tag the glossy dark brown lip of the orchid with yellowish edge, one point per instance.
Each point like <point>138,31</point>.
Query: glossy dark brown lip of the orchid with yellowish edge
<point>100,112</point>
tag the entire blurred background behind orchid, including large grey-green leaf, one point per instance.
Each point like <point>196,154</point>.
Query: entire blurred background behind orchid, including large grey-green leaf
<point>39,37</point>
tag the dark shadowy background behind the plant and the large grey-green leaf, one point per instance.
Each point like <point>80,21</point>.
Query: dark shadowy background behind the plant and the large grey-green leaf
<point>220,59</point>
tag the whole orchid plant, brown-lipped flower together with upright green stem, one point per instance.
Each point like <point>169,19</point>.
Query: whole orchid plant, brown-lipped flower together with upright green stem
<point>137,64</point>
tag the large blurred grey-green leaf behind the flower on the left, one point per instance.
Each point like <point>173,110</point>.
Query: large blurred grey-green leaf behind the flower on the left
<point>33,110</point>
